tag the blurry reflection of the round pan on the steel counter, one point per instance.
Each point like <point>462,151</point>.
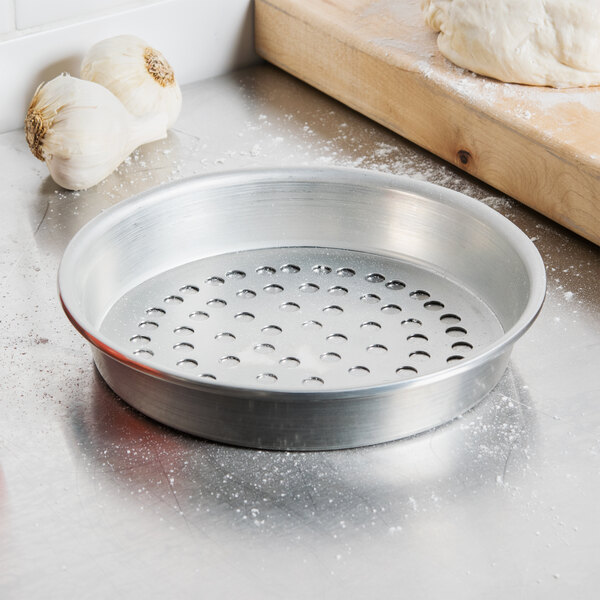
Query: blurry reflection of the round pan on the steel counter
<point>210,484</point>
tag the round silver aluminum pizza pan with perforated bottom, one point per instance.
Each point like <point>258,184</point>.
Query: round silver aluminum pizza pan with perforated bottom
<point>301,308</point>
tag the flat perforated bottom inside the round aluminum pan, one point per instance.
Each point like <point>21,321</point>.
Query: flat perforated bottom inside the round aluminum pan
<point>301,318</point>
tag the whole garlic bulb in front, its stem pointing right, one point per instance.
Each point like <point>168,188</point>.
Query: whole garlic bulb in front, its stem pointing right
<point>83,132</point>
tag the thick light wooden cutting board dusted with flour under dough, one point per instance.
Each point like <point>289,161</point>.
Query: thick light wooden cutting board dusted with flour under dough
<point>538,145</point>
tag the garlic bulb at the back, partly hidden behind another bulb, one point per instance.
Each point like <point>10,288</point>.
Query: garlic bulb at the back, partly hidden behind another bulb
<point>138,75</point>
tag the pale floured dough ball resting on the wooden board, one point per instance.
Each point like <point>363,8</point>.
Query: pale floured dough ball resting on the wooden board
<point>537,42</point>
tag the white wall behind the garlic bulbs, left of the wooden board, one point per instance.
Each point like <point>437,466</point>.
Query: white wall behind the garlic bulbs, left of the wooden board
<point>39,39</point>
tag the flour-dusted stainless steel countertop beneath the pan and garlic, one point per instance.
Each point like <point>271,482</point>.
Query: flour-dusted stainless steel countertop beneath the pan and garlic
<point>97,500</point>
